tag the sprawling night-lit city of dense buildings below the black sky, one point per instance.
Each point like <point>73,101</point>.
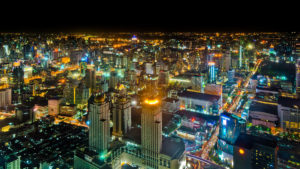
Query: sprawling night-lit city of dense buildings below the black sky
<point>150,100</point>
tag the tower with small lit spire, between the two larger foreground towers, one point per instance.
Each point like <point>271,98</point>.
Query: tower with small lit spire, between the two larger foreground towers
<point>121,113</point>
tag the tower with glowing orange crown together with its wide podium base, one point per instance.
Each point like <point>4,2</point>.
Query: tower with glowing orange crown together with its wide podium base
<point>154,151</point>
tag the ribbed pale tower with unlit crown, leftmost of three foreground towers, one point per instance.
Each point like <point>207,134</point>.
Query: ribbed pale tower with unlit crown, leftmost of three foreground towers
<point>99,117</point>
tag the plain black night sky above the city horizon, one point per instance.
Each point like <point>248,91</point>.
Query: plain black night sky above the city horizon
<point>151,17</point>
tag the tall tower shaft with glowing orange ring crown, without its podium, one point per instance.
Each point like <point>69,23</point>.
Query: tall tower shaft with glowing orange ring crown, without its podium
<point>151,121</point>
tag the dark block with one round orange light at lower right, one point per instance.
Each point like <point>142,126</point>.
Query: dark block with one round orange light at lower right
<point>255,152</point>
